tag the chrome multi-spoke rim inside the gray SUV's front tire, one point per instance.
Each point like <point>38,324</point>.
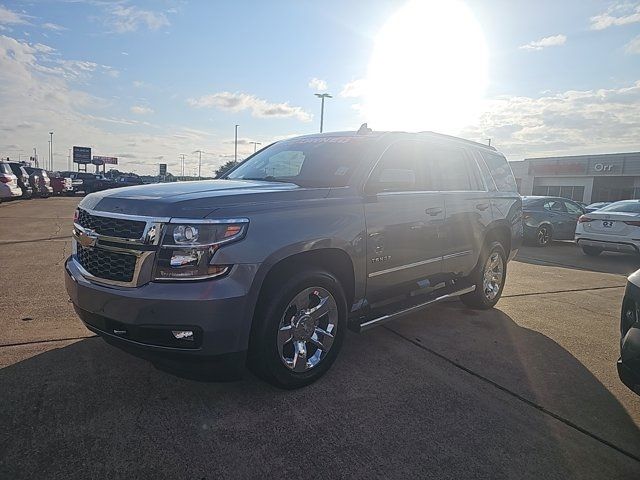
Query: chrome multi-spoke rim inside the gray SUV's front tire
<point>307,329</point>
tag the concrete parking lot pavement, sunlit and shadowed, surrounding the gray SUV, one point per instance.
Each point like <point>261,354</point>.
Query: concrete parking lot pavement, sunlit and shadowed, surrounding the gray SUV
<point>526,390</point>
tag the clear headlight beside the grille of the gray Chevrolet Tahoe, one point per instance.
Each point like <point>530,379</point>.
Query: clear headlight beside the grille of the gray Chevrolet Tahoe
<point>187,248</point>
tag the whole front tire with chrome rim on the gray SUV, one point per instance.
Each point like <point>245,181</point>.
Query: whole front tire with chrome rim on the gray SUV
<point>300,328</point>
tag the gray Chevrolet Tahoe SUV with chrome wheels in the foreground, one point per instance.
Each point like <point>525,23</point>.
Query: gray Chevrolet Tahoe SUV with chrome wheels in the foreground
<point>308,237</point>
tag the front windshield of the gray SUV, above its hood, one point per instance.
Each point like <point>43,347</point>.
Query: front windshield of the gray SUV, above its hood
<point>308,162</point>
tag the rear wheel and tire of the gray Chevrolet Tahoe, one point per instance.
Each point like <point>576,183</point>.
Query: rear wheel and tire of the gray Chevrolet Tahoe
<point>489,277</point>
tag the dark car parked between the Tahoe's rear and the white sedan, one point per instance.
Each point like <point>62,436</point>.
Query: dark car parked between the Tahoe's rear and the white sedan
<point>549,218</point>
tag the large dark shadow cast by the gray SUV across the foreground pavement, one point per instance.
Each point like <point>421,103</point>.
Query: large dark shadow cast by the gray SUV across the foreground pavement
<point>388,408</point>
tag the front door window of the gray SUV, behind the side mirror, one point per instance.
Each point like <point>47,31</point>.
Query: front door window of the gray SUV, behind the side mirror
<point>401,168</point>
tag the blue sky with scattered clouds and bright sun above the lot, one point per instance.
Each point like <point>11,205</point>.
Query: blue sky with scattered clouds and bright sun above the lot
<point>147,81</point>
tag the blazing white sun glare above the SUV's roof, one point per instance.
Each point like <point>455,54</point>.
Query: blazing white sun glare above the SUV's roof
<point>428,70</point>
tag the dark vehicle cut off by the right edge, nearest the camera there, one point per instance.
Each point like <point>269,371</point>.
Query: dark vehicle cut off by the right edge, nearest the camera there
<point>629,361</point>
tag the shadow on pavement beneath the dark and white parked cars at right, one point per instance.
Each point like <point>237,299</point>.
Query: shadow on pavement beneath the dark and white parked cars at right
<point>568,254</point>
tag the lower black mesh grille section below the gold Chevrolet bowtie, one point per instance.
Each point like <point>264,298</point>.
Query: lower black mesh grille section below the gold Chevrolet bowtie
<point>105,264</point>
